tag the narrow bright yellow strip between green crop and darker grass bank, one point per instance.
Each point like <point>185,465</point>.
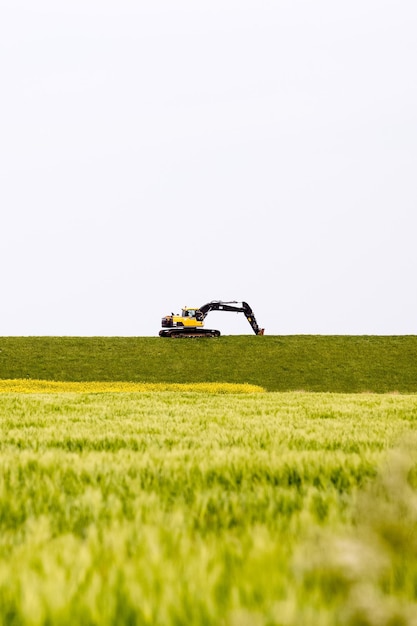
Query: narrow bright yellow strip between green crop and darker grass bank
<point>26,385</point>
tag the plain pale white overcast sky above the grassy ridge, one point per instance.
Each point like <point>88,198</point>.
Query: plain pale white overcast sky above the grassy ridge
<point>168,153</point>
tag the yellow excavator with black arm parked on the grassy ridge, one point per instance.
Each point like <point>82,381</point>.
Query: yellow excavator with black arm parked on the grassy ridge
<point>190,323</point>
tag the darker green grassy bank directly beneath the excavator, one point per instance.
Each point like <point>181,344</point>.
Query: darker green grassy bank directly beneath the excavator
<point>278,363</point>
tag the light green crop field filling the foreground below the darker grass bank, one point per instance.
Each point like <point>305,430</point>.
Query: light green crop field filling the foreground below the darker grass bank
<point>227,506</point>
